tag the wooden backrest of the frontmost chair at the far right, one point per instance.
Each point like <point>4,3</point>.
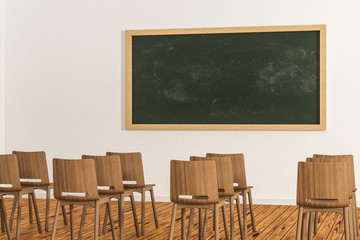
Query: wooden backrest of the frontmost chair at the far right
<point>322,185</point>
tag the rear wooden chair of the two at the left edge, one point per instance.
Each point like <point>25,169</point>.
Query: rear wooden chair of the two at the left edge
<point>34,173</point>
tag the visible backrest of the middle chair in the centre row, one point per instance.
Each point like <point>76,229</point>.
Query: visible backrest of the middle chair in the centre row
<point>223,172</point>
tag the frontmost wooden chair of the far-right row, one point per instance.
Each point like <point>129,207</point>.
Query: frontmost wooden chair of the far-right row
<point>322,187</point>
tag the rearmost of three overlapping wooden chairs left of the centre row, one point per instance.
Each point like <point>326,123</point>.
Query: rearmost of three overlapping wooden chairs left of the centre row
<point>133,176</point>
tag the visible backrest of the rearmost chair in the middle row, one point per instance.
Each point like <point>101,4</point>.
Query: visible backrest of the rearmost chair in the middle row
<point>238,168</point>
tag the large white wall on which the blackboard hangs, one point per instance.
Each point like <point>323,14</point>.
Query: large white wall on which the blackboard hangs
<point>65,84</point>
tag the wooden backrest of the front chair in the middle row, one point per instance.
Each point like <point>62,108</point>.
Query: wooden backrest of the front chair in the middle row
<point>193,182</point>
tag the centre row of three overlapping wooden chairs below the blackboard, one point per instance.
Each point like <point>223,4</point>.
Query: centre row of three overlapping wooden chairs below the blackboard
<point>207,183</point>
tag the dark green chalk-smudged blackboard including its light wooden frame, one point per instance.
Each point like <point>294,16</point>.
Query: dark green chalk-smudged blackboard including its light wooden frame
<point>241,78</point>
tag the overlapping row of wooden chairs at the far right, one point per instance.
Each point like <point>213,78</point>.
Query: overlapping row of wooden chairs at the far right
<point>326,183</point>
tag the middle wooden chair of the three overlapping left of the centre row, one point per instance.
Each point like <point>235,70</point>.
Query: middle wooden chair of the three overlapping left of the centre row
<point>109,175</point>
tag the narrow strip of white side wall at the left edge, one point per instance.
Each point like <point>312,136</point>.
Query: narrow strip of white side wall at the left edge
<point>2,75</point>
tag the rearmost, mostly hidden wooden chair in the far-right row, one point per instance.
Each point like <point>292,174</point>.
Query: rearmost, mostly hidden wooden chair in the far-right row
<point>350,159</point>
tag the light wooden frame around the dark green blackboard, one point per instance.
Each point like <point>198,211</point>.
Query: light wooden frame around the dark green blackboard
<point>296,127</point>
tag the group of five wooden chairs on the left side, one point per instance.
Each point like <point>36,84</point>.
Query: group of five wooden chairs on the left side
<point>90,181</point>
